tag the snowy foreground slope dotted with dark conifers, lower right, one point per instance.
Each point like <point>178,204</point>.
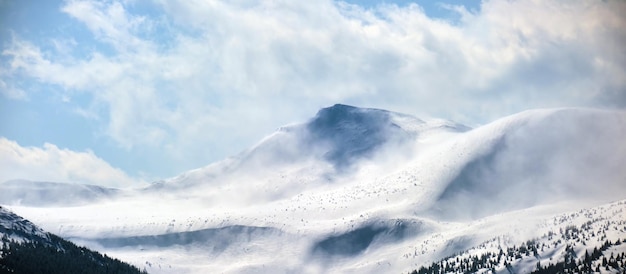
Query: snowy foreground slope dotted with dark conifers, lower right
<point>587,240</point>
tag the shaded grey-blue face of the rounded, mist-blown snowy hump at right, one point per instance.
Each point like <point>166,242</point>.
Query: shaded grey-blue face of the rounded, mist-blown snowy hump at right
<point>539,157</point>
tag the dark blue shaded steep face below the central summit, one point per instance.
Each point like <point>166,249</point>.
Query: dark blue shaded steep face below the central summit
<point>346,133</point>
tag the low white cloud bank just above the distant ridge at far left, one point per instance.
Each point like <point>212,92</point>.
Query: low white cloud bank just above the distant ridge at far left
<point>52,164</point>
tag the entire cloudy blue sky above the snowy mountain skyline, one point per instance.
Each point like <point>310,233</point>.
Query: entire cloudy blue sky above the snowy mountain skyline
<point>125,92</point>
